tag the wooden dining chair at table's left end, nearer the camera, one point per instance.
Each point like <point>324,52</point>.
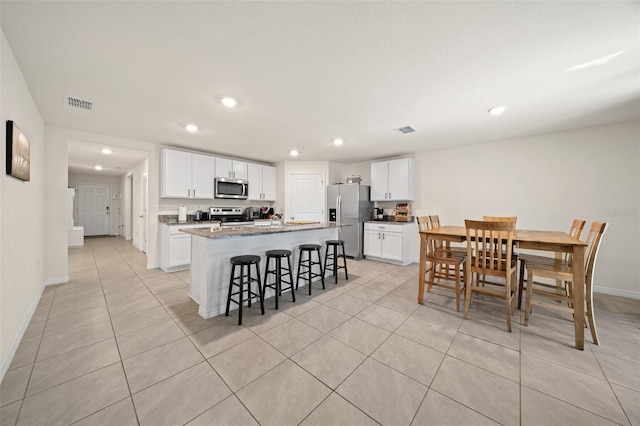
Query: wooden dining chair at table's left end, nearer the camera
<point>446,268</point>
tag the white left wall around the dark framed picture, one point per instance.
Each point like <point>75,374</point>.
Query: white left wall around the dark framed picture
<point>22,256</point>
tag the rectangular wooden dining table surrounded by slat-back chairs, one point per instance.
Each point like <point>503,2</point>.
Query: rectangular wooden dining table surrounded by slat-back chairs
<point>554,241</point>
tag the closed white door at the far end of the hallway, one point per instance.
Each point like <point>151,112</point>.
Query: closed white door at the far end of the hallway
<point>93,208</point>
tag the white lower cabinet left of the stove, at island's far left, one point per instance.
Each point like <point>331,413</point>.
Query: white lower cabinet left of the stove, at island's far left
<point>175,247</point>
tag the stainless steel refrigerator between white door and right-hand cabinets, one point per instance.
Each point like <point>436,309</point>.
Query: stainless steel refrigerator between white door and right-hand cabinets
<point>348,204</point>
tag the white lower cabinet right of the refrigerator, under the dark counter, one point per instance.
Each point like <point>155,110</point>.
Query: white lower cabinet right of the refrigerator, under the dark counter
<point>394,243</point>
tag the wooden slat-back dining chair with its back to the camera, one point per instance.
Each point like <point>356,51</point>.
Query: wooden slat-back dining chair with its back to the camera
<point>490,252</point>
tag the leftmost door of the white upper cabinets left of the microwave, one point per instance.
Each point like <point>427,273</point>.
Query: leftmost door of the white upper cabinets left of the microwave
<point>176,174</point>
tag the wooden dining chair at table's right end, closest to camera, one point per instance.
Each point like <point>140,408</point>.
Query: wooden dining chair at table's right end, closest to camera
<point>561,271</point>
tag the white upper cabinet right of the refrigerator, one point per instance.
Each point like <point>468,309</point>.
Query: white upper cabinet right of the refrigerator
<point>392,180</point>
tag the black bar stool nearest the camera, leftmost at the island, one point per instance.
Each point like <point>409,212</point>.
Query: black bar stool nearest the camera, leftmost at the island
<point>244,262</point>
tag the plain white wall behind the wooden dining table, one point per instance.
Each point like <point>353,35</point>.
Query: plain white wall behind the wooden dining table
<point>546,180</point>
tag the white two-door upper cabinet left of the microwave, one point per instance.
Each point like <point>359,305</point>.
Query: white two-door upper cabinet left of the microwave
<point>186,175</point>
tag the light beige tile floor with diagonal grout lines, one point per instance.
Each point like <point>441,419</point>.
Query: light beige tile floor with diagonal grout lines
<point>123,345</point>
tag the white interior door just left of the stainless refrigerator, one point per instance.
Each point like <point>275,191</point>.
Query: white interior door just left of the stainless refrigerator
<point>306,197</point>
